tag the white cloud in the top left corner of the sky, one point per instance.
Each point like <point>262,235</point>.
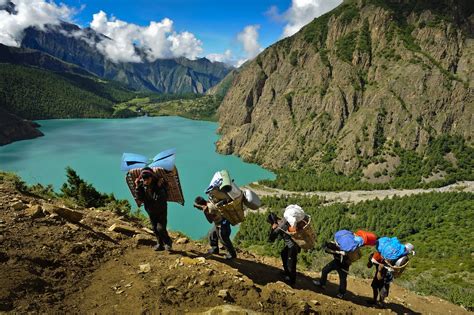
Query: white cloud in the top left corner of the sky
<point>36,13</point>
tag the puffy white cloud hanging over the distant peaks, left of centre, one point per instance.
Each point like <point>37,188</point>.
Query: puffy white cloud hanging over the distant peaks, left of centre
<point>158,40</point>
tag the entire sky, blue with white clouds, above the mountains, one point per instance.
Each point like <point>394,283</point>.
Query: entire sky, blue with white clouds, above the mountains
<point>227,31</point>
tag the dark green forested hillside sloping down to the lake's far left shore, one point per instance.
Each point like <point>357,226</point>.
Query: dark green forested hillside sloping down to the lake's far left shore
<point>34,93</point>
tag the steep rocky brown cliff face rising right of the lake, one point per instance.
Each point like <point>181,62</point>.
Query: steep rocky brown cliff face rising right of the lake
<point>354,82</point>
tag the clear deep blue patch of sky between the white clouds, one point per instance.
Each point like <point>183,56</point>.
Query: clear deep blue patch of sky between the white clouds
<point>215,23</point>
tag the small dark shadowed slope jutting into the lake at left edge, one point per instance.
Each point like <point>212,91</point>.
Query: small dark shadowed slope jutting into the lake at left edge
<point>14,128</point>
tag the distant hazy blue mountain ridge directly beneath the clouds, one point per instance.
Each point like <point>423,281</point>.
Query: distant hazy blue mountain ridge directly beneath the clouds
<point>72,44</point>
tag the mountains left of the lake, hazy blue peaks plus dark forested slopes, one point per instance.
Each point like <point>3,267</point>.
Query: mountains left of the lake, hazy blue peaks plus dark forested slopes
<point>56,57</point>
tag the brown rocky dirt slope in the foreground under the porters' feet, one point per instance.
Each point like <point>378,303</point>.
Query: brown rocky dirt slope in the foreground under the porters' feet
<point>56,259</point>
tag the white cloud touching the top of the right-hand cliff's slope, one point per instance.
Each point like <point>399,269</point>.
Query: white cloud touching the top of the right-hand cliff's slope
<point>301,13</point>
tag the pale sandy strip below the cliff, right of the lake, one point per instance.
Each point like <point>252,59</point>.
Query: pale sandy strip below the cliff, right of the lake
<point>362,195</point>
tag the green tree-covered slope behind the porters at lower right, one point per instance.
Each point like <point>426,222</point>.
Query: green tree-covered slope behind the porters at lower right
<point>440,225</point>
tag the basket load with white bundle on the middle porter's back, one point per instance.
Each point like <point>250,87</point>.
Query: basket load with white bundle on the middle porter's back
<point>303,233</point>
